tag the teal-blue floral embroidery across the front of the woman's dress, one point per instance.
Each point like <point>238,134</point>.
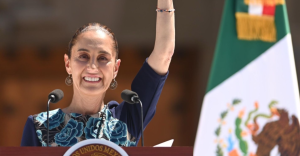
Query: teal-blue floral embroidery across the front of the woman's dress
<point>68,129</point>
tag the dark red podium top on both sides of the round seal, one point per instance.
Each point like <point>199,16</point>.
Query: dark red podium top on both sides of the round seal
<point>131,151</point>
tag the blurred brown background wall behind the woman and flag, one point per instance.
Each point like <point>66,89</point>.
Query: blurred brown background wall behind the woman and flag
<point>34,35</point>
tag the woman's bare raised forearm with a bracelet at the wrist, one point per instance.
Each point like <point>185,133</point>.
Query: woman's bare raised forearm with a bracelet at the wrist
<point>164,47</point>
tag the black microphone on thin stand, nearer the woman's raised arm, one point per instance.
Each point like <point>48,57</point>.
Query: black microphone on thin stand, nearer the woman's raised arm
<point>132,97</point>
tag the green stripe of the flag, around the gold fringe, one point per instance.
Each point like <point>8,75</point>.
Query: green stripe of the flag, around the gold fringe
<point>231,54</point>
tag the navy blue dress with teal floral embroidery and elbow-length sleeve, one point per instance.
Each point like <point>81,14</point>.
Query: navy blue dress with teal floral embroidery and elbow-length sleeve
<point>119,123</point>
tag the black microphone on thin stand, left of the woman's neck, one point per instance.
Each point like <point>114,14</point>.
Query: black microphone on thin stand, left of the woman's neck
<point>55,96</point>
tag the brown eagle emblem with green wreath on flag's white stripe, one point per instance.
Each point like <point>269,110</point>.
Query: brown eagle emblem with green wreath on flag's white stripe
<point>277,132</point>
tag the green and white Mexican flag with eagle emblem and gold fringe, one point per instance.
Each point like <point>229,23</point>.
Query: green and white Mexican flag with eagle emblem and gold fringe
<point>251,106</point>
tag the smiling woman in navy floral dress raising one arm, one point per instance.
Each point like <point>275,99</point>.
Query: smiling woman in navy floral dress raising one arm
<point>92,65</point>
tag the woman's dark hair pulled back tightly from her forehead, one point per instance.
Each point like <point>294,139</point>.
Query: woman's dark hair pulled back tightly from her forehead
<point>93,26</point>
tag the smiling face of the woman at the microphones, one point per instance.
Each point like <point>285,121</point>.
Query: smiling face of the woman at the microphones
<point>93,62</point>
